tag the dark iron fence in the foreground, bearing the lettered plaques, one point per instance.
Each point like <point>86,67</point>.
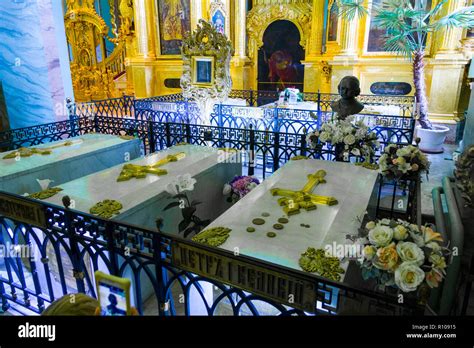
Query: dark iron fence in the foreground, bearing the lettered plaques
<point>67,247</point>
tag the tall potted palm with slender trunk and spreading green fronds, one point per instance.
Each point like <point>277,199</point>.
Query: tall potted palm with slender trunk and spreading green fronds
<point>408,23</point>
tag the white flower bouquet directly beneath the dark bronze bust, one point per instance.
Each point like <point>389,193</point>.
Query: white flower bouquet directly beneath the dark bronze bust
<point>349,138</point>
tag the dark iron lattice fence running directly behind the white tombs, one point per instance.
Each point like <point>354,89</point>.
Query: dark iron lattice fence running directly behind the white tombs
<point>264,151</point>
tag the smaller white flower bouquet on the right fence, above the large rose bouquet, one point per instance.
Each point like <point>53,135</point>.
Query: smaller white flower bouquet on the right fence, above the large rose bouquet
<point>402,161</point>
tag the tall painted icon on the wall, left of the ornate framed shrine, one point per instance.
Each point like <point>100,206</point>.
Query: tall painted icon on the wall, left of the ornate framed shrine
<point>174,23</point>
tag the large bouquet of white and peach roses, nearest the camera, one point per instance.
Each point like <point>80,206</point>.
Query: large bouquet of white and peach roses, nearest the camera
<point>397,253</point>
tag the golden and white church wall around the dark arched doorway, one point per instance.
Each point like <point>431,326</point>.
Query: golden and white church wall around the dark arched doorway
<point>325,62</point>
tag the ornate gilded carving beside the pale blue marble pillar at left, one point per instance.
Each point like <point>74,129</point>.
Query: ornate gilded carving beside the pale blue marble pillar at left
<point>92,73</point>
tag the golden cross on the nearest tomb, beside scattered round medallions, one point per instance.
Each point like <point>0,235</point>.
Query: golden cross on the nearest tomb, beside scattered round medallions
<point>293,201</point>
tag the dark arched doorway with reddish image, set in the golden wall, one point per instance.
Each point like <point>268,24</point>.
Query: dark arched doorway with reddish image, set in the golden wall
<point>279,59</point>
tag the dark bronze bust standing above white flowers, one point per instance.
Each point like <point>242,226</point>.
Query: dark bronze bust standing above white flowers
<point>349,89</point>
